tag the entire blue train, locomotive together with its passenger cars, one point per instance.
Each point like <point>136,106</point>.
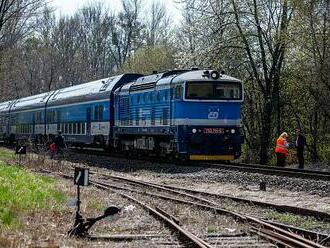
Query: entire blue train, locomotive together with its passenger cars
<point>189,114</point>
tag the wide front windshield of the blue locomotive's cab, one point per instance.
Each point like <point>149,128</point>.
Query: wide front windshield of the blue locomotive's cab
<point>213,90</point>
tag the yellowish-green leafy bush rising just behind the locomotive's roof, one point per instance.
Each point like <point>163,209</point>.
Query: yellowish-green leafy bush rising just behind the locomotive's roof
<point>149,59</point>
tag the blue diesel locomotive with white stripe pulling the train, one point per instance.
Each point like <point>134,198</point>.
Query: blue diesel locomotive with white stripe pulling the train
<point>189,114</point>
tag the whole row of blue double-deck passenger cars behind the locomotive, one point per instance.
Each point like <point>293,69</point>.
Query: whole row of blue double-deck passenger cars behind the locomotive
<point>84,113</point>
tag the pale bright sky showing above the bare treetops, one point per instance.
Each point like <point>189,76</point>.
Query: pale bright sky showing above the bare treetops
<point>68,7</point>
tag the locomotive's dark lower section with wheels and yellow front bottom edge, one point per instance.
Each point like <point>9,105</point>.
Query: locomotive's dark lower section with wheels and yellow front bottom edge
<point>197,146</point>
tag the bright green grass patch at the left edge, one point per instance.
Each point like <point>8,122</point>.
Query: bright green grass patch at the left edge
<point>22,192</point>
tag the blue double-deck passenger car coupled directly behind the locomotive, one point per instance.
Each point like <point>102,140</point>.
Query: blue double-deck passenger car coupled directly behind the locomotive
<point>84,113</point>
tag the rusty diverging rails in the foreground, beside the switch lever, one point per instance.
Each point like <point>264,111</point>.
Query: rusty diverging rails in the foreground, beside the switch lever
<point>276,233</point>
